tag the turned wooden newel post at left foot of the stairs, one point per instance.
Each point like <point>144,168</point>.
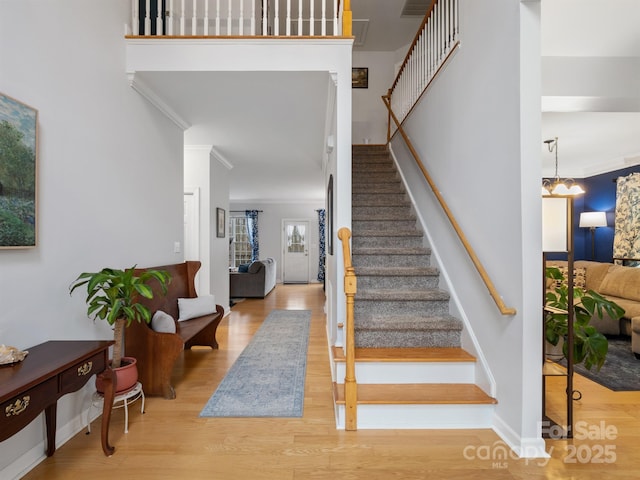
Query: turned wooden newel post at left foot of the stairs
<point>350,288</point>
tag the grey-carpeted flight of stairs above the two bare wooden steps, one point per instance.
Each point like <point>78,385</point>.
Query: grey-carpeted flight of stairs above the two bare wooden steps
<point>398,303</point>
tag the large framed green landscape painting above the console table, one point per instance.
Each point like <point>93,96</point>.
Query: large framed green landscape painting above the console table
<point>18,173</point>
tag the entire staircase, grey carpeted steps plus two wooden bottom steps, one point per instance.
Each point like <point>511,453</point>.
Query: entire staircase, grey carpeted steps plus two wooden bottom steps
<point>410,369</point>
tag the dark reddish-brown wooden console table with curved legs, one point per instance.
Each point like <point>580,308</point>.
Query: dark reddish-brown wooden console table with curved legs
<point>51,370</point>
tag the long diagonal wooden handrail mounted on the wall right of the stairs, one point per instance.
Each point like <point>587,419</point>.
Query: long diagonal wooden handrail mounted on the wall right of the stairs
<point>504,310</point>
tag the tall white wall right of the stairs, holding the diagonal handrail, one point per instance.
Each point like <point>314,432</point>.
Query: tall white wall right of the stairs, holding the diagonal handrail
<point>472,133</point>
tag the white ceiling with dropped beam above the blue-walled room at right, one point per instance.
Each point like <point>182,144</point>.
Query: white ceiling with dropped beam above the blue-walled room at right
<point>596,118</point>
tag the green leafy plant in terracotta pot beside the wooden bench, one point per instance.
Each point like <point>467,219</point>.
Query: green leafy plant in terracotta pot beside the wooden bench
<point>112,296</point>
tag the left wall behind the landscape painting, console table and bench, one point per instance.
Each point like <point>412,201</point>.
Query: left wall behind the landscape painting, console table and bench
<point>110,182</point>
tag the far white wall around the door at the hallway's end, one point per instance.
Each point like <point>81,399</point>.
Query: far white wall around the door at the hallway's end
<point>270,230</point>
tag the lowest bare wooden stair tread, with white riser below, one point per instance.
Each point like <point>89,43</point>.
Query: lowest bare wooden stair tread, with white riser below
<point>422,394</point>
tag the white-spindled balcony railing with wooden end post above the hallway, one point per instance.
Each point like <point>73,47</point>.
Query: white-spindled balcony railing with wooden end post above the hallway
<point>241,18</point>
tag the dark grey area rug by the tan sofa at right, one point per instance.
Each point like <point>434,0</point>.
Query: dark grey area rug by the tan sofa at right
<point>621,369</point>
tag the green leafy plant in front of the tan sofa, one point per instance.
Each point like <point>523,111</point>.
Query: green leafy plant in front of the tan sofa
<point>590,347</point>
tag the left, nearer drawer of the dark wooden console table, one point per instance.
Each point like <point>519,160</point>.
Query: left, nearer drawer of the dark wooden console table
<point>19,411</point>
